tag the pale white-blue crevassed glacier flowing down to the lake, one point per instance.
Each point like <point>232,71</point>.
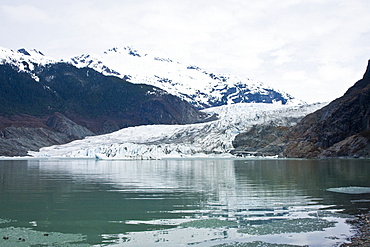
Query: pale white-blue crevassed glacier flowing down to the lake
<point>211,139</point>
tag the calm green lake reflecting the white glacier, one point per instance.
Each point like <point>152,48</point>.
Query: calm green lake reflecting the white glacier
<point>183,202</point>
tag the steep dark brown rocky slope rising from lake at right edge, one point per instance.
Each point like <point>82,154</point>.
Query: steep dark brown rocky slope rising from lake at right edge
<point>340,129</point>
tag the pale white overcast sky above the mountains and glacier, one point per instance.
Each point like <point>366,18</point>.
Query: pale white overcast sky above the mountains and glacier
<point>312,49</point>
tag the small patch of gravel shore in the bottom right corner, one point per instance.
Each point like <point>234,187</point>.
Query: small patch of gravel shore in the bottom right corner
<point>362,237</point>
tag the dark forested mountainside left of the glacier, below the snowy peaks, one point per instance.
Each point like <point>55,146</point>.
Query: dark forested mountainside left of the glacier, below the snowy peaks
<point>100,103</point>
